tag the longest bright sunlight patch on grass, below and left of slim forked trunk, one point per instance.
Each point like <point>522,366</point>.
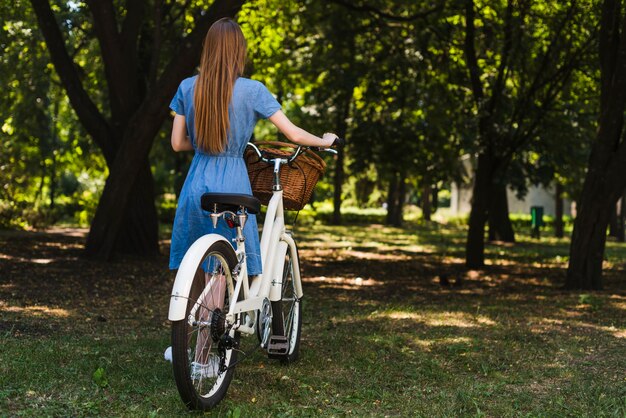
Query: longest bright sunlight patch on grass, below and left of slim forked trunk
<point>442,319</point>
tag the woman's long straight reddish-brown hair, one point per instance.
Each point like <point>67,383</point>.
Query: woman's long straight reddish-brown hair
<point>223,60</point>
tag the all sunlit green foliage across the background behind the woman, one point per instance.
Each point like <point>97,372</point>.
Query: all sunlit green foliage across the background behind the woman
<point>390,78</point>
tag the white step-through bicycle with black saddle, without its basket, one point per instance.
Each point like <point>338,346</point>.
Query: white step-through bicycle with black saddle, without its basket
<point>213,304</point>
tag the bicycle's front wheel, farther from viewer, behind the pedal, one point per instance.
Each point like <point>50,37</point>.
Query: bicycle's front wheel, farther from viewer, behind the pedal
<point>287,313</point>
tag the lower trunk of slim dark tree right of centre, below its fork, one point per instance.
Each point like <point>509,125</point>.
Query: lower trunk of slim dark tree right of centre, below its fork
<point>475,246</point>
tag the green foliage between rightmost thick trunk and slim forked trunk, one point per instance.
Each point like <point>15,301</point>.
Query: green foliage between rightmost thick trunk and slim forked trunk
<point>539,78</point>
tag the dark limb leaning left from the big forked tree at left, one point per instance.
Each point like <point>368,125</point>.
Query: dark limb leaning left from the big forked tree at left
<point>85,109</point>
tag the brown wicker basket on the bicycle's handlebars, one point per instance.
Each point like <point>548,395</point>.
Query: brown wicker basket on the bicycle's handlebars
<point>298,179</point>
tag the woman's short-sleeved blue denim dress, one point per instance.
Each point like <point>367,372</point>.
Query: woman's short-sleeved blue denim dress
<point>222,173</point>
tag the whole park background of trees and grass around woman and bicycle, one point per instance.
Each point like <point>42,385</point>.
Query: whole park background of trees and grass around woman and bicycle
<point>414,309</point>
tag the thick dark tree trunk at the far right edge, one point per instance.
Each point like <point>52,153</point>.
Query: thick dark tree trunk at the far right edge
<point>605,180</point>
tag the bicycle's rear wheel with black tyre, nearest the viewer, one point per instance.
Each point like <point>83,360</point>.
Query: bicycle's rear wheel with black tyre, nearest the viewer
<point>203,346</point>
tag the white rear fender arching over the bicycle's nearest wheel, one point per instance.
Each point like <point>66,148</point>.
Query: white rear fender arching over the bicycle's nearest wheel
<point>186,273</point>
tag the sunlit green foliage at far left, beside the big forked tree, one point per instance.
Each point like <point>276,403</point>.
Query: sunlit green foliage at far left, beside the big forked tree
<point>49,170</point>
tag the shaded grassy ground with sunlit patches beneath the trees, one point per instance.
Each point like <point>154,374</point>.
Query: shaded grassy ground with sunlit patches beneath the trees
<point>393,326</point>
